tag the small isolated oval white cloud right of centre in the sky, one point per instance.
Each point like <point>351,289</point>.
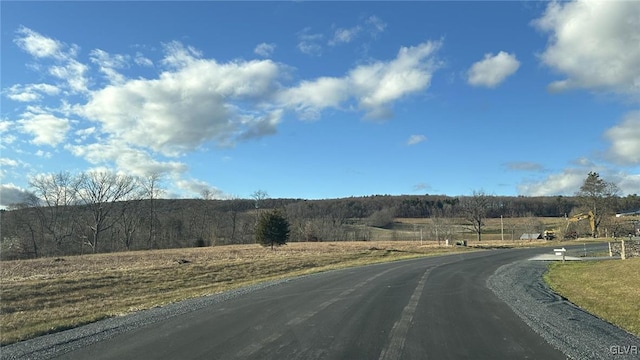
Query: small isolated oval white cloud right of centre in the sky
<point>493,69</point>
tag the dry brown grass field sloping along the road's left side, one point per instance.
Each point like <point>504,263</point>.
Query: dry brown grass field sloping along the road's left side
<point>48,295</point>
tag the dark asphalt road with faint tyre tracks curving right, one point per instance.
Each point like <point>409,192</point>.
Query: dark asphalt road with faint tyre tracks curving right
<point>429,308</point>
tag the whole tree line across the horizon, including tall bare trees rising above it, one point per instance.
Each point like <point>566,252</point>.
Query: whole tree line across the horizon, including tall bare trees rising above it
<point>91,212</point>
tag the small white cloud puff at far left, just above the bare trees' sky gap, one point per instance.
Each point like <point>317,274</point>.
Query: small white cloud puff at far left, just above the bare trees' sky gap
<point>47,129</point>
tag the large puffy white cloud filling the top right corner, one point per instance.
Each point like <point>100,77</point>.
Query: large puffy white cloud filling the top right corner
<point>594,44</point>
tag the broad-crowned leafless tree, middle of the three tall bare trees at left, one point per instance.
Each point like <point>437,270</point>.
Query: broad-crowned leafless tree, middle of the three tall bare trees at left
<point>100,191</point>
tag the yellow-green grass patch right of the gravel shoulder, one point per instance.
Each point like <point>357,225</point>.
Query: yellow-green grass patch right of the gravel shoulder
<point>608,289</point>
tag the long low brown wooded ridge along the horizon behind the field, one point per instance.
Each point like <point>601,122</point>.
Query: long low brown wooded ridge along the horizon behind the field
<point>38,231</point>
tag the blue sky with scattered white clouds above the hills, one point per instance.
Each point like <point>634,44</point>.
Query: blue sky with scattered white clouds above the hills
<point>321,100</point>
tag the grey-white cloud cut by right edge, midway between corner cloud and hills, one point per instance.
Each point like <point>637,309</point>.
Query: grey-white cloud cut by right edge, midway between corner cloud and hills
<point>625,140</point>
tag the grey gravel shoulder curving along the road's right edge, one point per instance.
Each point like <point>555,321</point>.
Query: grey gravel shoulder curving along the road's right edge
<point>575,332</point>
